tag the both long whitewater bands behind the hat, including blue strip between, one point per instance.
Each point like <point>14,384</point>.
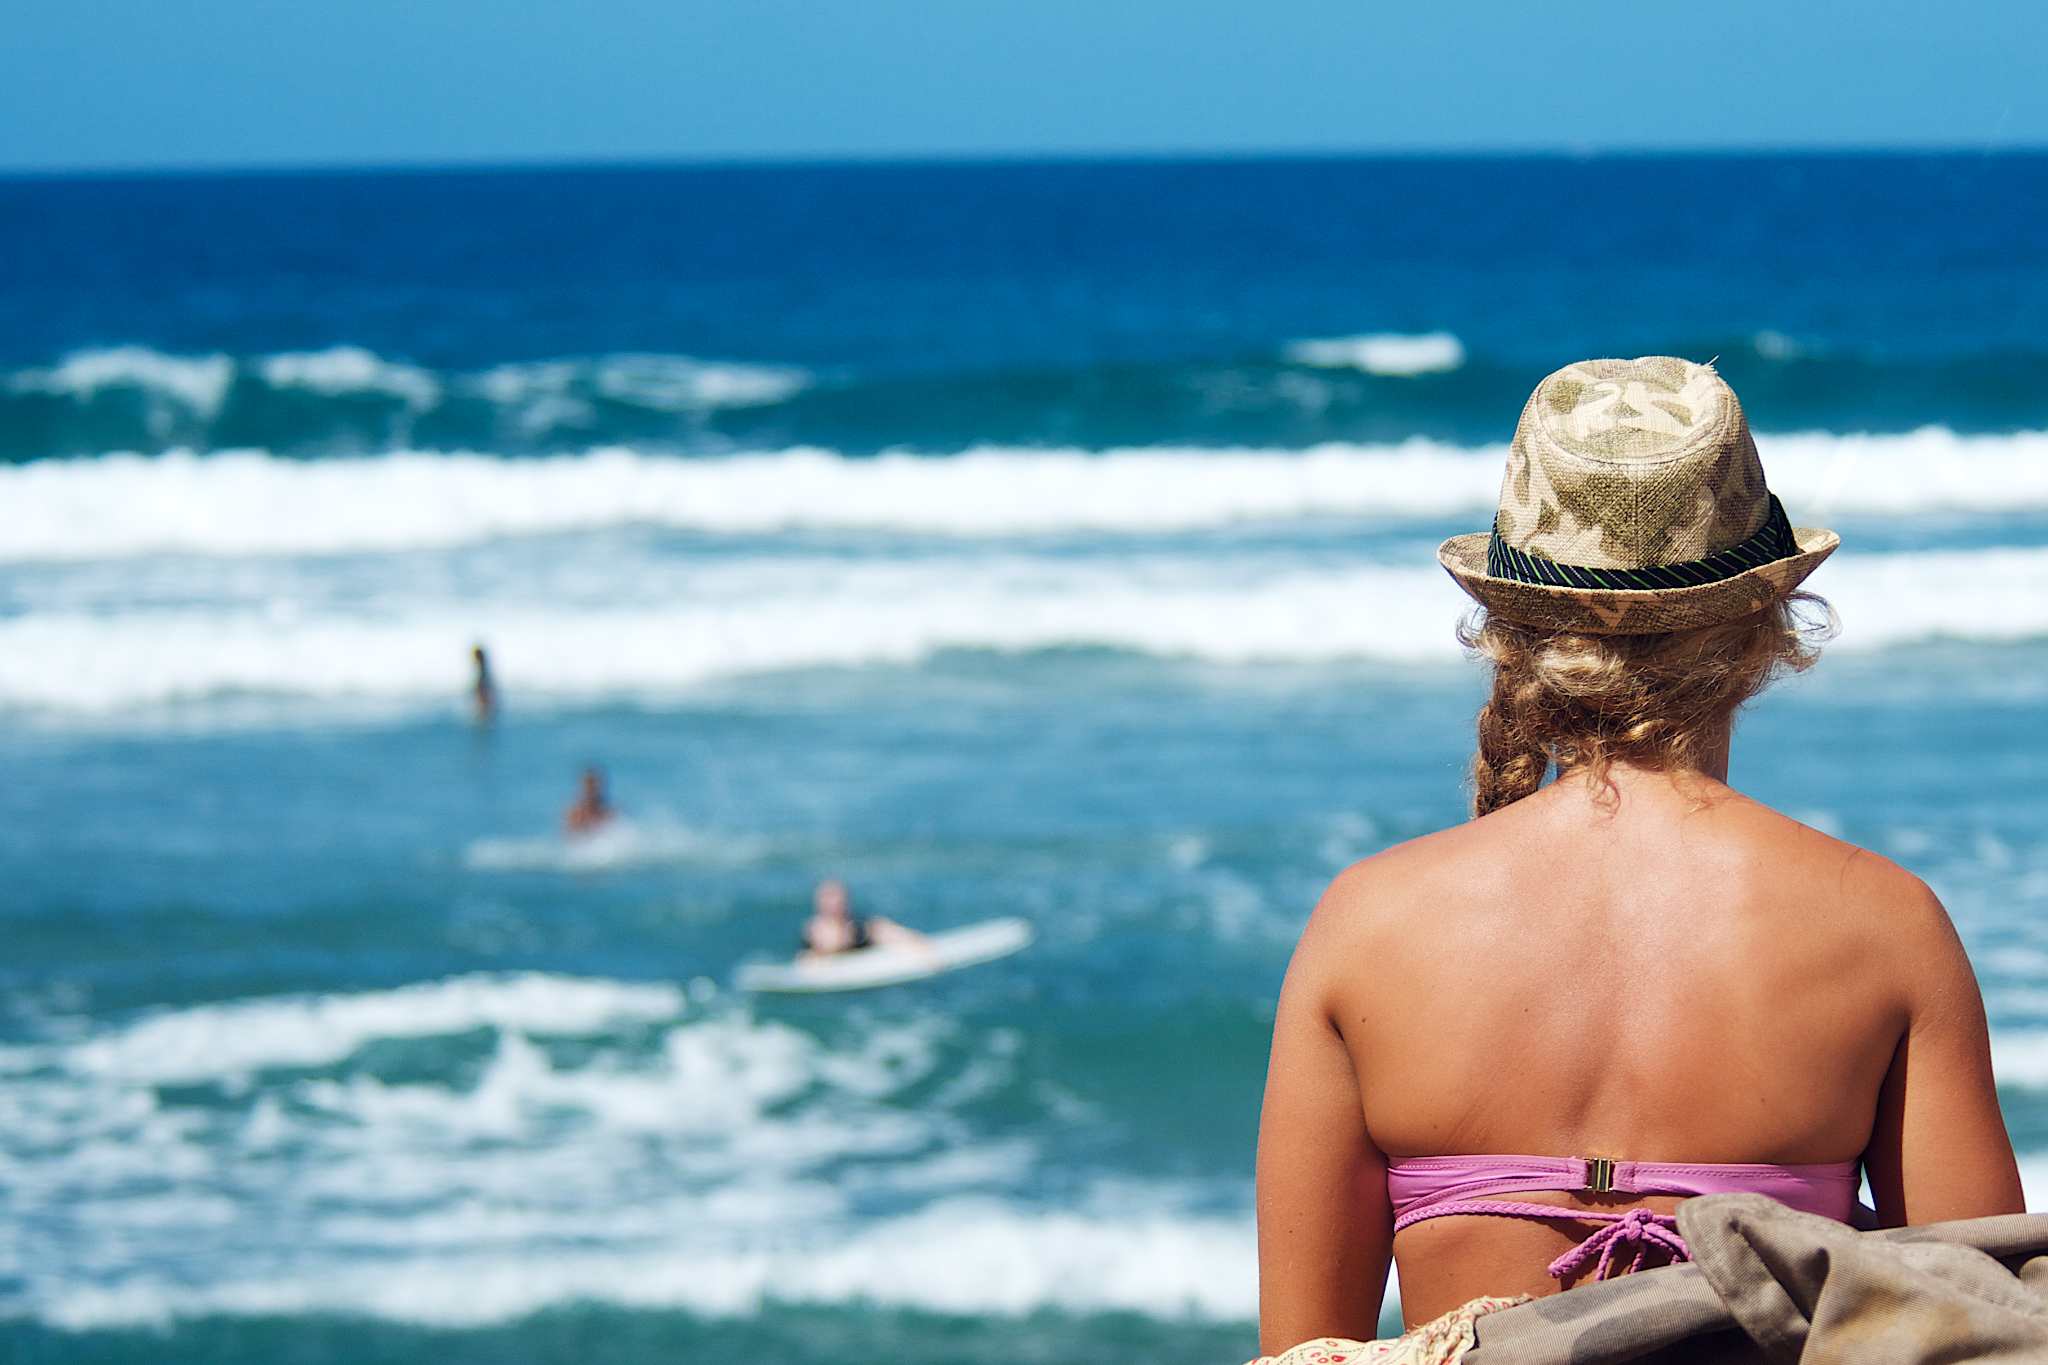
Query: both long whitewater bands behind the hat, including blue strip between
<point>138,582</point>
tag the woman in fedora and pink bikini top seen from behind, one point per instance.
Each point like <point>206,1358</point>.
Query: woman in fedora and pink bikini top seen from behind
<point>1635,963</point>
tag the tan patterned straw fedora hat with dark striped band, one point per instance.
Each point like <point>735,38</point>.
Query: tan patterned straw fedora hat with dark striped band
<point>1635,504</point>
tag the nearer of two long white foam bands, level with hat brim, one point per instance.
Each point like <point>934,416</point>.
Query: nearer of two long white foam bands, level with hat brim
<point>654,629</point>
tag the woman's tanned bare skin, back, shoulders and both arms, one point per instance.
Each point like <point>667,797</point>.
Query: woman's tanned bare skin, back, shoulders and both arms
<point>1656,971</point>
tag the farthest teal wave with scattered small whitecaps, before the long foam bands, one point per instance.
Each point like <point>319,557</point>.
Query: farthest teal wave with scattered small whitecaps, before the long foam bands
<point>1371,388</point>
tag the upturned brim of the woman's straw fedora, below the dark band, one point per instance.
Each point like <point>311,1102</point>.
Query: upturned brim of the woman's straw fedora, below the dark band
<point>1633,613</point>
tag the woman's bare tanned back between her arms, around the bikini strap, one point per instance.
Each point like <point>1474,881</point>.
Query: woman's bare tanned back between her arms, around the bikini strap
<point>1670,975</point>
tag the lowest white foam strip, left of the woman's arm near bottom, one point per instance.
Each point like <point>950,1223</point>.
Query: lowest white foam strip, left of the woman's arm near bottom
<point>959,1256</point>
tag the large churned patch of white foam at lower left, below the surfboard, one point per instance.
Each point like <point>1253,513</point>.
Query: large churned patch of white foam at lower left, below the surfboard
<point>732,1165</point>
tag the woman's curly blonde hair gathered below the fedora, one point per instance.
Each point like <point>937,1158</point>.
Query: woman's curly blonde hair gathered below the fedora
<point>1582,701</point>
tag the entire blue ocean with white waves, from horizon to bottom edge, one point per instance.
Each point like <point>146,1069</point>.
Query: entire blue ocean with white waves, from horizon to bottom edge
<point>1007,539</point>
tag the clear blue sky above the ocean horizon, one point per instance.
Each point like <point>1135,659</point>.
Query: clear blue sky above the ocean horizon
<point>294,83</point>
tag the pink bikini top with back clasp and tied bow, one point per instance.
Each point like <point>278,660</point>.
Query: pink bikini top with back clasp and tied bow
<point>1443,1186</point>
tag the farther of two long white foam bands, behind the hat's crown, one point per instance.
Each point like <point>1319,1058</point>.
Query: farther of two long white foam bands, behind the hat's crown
<point>259,504</point>
